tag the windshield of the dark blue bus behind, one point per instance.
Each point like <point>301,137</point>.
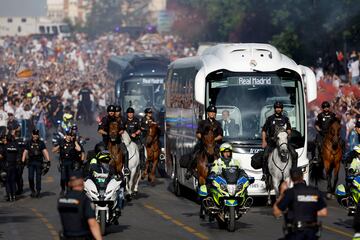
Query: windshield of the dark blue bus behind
<point>141,93</point>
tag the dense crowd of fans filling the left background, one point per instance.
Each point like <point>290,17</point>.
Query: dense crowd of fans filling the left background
<point>41,79</point>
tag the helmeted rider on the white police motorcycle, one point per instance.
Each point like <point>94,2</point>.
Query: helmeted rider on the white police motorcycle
<point>100,164</point>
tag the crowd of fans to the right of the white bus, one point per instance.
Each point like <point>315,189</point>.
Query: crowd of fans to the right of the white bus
<point>343,93</point>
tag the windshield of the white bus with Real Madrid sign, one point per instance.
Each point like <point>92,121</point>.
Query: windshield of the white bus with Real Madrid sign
<point>247,99</point>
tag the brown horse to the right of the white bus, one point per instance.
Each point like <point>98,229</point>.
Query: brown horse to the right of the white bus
<point>331,153</point>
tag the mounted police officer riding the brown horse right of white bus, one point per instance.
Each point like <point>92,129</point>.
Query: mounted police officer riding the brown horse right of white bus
<point>322,125</point>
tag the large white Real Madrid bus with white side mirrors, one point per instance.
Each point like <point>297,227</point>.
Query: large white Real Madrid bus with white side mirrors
<point>246,80</point>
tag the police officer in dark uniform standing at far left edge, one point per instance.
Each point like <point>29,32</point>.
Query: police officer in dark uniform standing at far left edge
<point>10,154</point>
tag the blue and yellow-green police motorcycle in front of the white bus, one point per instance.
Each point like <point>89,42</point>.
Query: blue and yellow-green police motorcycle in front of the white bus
<point>228,199</point>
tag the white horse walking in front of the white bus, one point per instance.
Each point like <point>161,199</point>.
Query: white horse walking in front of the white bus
<point>279,163</point>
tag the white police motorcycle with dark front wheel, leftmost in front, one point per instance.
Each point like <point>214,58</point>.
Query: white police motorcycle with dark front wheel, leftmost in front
<point>104,190</point>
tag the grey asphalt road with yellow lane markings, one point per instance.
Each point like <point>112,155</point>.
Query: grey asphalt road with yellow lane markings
<point>155,214</point>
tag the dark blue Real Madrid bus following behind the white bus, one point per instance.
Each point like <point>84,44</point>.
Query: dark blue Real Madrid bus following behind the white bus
<point>139,83</point>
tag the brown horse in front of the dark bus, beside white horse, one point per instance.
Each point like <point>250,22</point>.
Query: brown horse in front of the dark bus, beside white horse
<point>152,150</point>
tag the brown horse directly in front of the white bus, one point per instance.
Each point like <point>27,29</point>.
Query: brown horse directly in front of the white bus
<point>205,155</point>
